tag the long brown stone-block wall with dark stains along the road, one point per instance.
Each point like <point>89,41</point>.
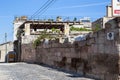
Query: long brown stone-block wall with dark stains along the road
<point>97,56</point>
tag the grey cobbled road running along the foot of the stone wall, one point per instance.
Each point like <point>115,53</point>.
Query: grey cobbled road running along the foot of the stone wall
<point>24,71</point>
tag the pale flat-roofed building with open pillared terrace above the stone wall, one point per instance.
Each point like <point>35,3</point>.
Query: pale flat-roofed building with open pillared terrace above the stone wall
<point>32,28</point>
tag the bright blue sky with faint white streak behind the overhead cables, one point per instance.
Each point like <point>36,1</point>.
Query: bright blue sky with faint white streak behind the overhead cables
<point>73,8</point>
